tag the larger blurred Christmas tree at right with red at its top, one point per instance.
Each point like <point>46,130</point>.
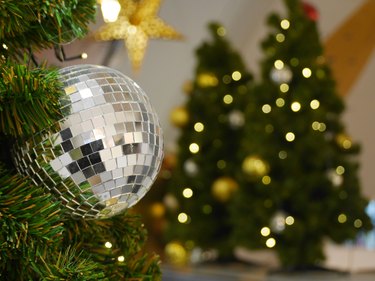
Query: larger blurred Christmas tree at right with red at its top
<point>299,177</point>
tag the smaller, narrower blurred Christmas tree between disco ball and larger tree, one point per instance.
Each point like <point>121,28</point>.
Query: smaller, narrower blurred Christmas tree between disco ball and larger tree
<point>211,126</point>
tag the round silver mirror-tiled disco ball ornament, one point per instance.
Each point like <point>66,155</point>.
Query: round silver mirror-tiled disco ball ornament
<point>104,154</point>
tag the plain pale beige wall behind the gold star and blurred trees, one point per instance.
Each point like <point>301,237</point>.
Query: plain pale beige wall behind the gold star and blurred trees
<point>168,64</point>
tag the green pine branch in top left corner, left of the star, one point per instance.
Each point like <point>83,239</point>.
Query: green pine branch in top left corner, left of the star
<point>40,24</point>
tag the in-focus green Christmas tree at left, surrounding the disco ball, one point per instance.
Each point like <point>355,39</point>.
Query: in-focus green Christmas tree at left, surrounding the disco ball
<point>38,239</point>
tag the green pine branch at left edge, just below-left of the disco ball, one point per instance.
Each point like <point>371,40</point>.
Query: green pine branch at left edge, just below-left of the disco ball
<point>30,222</point>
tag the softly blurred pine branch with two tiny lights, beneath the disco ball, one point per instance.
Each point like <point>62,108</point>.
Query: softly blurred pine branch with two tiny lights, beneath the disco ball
<point>127,236</point>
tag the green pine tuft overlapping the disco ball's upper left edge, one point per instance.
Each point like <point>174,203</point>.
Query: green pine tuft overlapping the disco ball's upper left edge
<point>29,99</point>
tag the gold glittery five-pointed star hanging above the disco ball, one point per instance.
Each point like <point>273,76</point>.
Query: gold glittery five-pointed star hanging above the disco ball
<point>136,23</point>
